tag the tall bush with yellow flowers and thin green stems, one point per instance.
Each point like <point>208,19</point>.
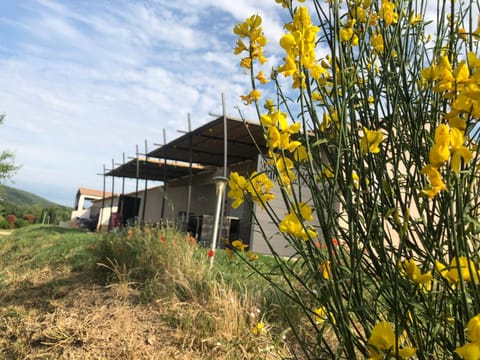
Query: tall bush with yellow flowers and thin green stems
<point>372,140</point>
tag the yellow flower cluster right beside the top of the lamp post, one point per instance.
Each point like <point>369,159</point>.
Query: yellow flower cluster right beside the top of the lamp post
<point>257,188</point>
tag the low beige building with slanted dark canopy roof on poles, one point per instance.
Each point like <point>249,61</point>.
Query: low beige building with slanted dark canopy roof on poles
<point>187,167</point>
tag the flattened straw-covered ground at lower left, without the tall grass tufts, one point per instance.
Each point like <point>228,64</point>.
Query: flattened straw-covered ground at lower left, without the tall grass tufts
<point>70,319</point>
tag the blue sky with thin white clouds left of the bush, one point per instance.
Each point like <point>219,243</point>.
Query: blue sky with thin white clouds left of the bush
<point>84,81</point>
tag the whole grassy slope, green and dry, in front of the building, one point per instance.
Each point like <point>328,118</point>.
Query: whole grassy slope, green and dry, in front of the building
<point>132,294</point>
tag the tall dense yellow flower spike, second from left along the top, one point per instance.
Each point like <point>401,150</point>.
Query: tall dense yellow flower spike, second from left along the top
<point>299,44</point>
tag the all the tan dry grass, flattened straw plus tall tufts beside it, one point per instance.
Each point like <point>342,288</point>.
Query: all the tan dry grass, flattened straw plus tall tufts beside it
<point>52,312</point>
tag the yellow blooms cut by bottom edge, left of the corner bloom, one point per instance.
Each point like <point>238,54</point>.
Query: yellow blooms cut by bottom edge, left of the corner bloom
<point>383,341</point>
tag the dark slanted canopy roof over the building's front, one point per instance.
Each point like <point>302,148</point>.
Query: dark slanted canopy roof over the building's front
<point>202,147</point>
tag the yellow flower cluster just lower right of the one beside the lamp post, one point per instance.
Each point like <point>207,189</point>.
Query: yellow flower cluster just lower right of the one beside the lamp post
<point>294,222</point>
